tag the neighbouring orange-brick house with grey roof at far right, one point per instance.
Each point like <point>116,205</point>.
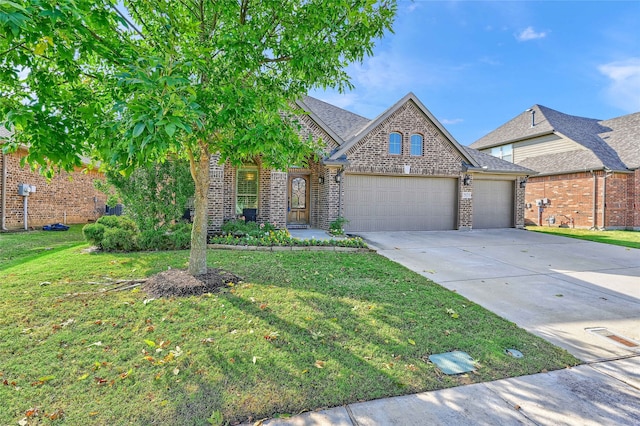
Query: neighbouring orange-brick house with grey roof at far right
<point>588,169</point>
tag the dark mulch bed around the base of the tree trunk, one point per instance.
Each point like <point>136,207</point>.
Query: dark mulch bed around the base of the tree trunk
<point>179,283</point>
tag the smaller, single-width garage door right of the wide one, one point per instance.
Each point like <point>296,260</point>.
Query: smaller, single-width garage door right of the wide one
<point>492,204</point>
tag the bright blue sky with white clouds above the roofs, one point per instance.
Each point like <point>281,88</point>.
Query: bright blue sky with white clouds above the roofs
<point>477,64</point>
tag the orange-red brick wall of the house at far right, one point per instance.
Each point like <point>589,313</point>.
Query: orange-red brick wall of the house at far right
<point>572,202</point>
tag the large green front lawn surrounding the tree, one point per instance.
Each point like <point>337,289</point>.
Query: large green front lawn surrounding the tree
<point>304,330</point>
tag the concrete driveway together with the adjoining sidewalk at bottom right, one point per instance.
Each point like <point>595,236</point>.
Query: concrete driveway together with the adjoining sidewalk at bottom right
<point>554,287</point>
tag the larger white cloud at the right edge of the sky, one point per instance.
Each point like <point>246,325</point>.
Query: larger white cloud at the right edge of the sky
<point>624,85</point>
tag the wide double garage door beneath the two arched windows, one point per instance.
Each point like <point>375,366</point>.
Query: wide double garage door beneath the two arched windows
<point>398,203</point>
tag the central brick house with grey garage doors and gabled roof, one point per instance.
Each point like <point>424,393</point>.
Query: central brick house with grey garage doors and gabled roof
<point>400,171</point>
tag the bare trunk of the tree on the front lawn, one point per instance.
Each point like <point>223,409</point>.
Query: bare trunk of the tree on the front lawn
<point>200,173</point>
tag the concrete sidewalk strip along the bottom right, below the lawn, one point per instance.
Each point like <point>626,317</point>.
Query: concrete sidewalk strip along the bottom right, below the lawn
<point>603,393</point>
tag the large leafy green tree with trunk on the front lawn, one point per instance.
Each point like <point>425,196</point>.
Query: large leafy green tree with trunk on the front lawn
<point>135,82</point>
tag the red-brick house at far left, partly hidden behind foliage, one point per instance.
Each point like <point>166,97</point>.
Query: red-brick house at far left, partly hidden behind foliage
<point>67,198</point>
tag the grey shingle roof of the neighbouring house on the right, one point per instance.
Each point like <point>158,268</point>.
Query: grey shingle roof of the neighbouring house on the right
<point>587,132</point>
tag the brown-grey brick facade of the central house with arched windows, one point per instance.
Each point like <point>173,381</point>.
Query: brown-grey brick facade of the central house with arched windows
<point>370,155</point>
